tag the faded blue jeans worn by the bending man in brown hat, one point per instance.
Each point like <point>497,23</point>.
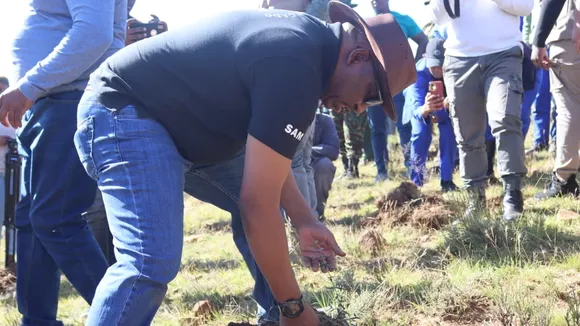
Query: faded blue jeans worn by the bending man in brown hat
<point>137,166</point>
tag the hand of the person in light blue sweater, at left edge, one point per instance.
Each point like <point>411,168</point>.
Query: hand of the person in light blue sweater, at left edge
<point>13,105</point>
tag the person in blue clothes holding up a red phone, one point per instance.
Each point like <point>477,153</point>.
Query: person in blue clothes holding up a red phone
<point>426,110</point>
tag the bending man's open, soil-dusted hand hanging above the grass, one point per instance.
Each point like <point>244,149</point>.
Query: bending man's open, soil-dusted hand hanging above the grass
<point>319,248</point>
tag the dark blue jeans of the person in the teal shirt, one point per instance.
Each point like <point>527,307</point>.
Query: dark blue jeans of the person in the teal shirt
<point>378,123</point>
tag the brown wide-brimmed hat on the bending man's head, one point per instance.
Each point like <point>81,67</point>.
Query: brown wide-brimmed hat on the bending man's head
<point>395,62</point>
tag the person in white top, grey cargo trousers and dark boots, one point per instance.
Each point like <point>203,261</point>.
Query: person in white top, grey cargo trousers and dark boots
<point>483,73</point>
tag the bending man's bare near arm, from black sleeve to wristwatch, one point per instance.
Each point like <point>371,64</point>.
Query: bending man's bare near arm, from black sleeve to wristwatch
<point>265,173</point>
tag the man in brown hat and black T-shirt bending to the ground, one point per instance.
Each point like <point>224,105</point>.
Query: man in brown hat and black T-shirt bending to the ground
<point>178,101</point>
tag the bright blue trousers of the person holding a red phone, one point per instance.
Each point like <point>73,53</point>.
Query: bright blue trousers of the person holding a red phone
<point>421,140</point>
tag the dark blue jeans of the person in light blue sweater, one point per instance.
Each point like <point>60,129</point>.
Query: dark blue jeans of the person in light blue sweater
<point>52,235</point>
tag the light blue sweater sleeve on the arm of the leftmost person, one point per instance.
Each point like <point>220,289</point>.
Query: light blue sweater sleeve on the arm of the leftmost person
<point>90,36</point>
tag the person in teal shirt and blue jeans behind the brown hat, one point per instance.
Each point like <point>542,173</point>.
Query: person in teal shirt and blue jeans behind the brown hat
<point>376,116</point>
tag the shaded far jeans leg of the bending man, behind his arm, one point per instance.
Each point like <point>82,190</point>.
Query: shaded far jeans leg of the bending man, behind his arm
<point>220,185</point>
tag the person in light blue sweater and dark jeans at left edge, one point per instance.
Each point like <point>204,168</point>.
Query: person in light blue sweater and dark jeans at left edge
<point>60,44</point>
